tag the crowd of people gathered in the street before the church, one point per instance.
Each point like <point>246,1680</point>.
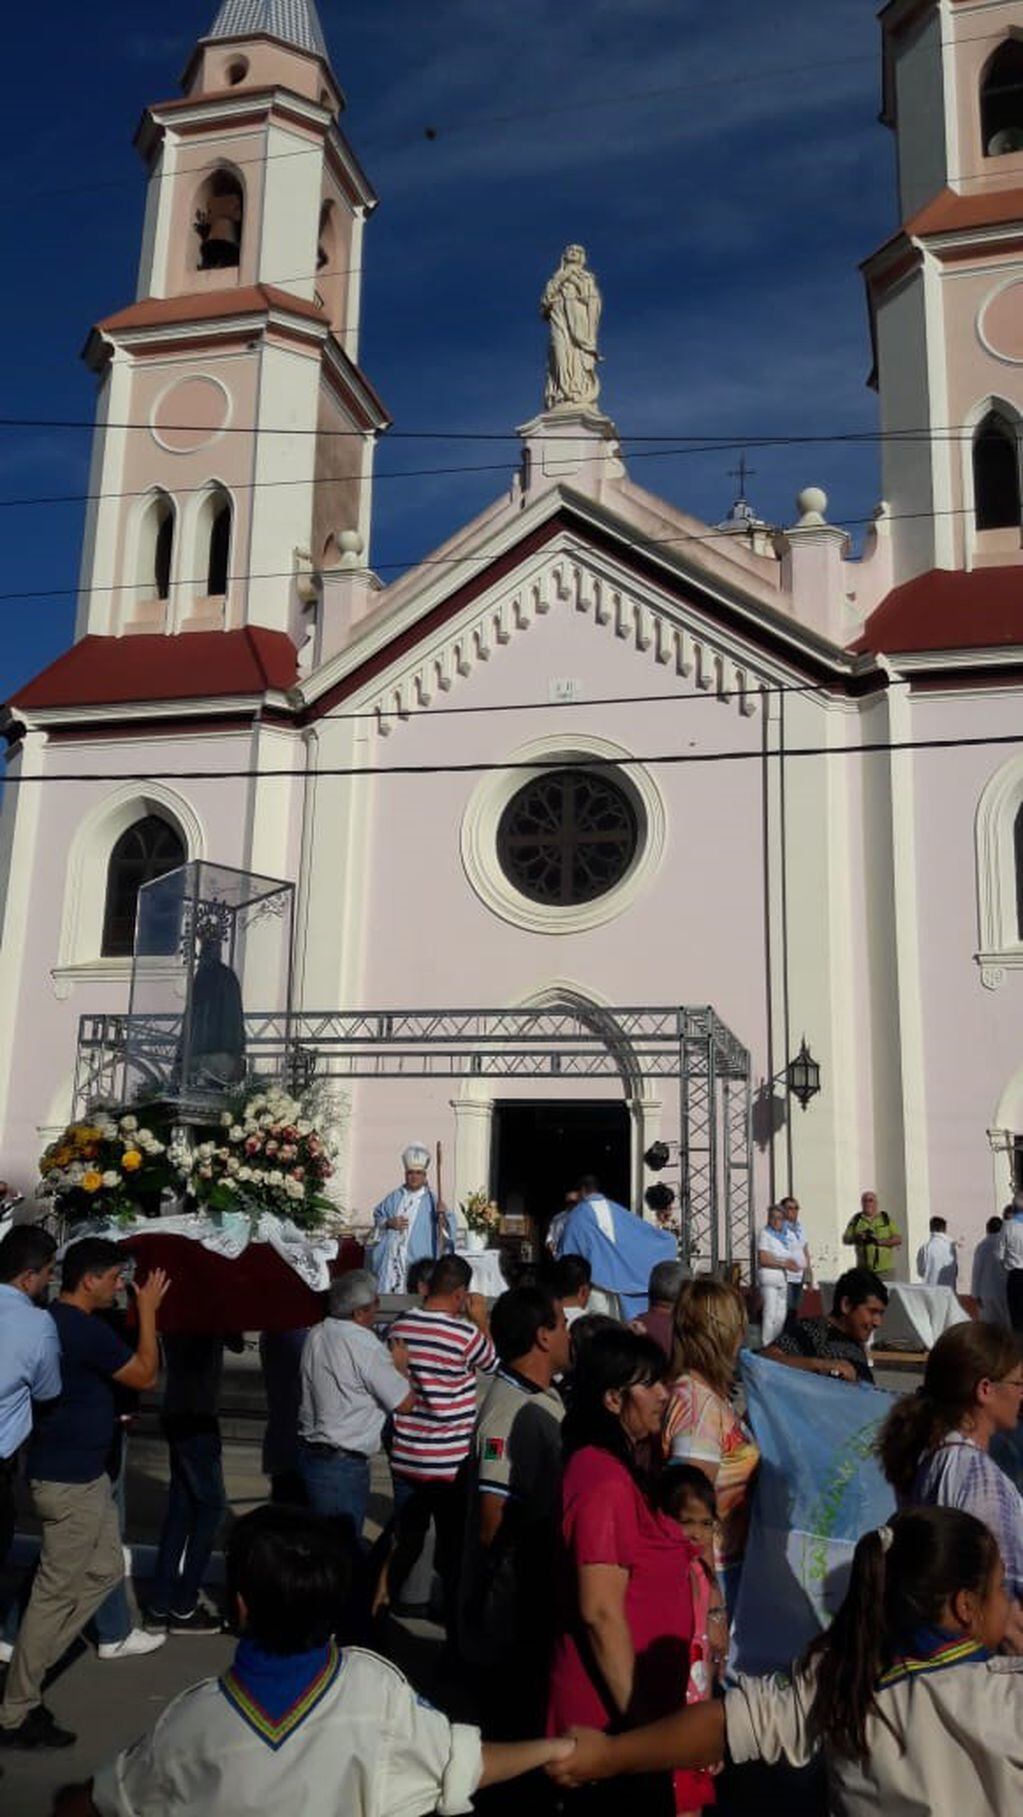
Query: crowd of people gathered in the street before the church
<point>586,1482</point>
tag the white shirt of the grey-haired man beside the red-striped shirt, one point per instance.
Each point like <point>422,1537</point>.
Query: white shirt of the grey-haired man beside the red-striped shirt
<point>348,1387</point>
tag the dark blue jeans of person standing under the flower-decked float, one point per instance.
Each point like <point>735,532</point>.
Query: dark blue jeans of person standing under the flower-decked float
<point>195,1511</point>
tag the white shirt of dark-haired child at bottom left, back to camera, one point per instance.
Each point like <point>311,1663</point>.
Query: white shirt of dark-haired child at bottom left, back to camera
<point>370,1749</point>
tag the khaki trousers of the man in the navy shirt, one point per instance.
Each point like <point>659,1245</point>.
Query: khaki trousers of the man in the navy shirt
<point>81,1562</point>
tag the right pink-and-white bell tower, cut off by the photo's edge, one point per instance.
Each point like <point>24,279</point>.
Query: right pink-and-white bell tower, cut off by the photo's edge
<point>948,290</point>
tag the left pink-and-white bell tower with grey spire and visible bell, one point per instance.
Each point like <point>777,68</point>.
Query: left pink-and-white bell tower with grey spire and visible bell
<point>235,428</point>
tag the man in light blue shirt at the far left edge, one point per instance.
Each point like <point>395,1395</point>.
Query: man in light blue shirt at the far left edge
<point>30,1355</point>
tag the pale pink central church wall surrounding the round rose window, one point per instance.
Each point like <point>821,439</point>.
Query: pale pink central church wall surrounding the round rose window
<point>695,937</point>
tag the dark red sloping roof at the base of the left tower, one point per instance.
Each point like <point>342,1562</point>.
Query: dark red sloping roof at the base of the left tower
<point>195,666</point>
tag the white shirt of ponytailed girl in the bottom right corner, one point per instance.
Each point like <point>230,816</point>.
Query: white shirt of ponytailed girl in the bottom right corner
<point>957,1745</point>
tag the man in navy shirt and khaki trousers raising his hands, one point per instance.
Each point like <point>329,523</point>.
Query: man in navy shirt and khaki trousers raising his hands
<point>81,1551</point>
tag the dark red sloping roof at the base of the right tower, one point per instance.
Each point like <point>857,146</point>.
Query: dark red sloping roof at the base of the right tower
<point>949,611</point>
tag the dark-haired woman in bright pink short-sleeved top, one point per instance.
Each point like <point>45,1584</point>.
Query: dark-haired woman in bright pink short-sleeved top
<point>622,1654</point>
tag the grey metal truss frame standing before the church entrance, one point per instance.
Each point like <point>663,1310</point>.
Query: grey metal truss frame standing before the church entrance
<point>121,1055</point>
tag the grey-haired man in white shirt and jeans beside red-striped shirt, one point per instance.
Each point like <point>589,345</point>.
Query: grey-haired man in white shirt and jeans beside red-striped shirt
<point>352,1384</point>
